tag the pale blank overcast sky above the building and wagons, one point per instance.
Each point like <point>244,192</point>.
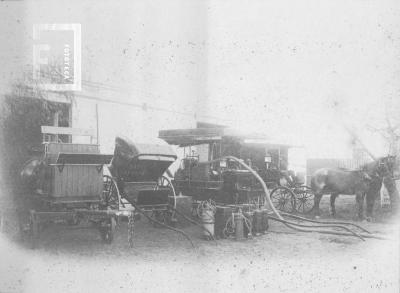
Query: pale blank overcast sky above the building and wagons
<point>293,69</point>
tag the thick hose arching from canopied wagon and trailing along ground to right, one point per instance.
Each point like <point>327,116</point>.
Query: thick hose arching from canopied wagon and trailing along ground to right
<point>294,225</point>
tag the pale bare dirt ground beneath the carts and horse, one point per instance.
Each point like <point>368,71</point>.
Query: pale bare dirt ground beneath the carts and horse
<point>280,261</point>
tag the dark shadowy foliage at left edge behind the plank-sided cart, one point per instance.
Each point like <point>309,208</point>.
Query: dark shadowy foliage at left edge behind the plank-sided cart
<point>22,113</point>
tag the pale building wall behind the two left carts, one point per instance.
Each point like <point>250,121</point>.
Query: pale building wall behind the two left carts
<point>122,120</point>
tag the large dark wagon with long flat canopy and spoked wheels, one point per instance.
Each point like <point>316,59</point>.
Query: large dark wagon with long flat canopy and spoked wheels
<point>227,183</point>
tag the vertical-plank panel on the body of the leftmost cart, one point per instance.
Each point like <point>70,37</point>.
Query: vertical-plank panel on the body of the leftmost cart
<point>74,181</point>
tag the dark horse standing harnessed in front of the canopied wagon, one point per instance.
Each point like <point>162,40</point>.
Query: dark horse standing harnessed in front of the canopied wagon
<point>365,182</point>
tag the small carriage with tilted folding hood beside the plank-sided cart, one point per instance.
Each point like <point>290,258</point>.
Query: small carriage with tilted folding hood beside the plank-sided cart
<point>137,172</point>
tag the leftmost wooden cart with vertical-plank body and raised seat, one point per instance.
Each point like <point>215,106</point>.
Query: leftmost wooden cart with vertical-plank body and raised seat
<point>69,185</point>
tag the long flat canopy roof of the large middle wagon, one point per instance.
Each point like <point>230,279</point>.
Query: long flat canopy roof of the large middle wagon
<point>195,136</point>
